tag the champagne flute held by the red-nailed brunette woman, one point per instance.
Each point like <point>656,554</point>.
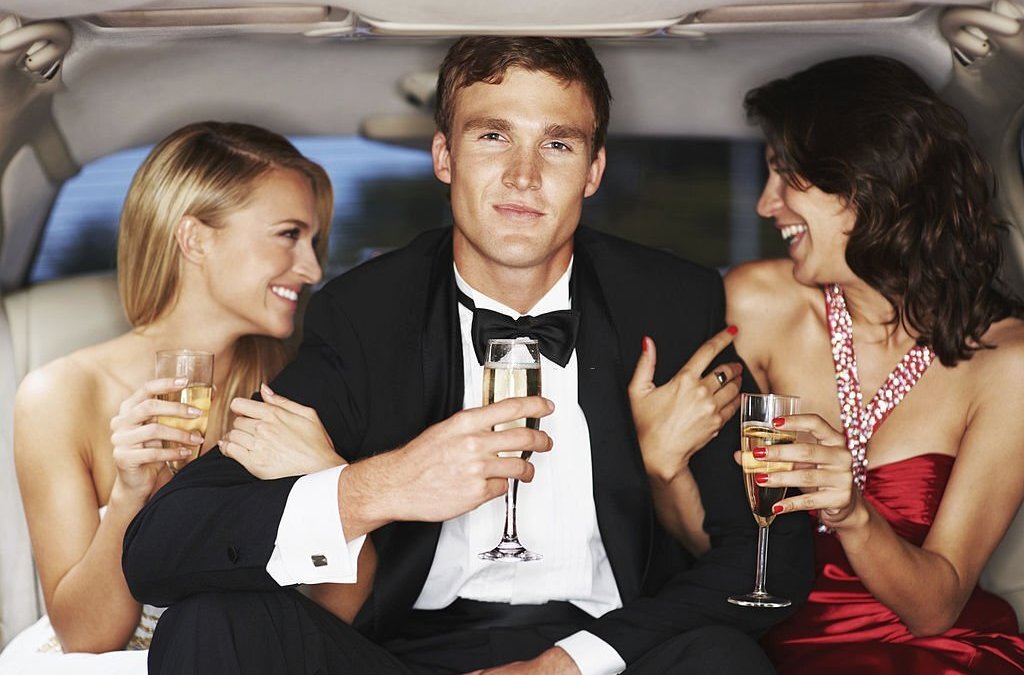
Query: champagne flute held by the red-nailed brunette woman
<point>757,412</point>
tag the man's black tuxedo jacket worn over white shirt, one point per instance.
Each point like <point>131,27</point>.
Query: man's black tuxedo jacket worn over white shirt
<point>381,361</point>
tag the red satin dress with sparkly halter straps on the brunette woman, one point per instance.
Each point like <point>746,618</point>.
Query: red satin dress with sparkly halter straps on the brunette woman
<point>843,629</point>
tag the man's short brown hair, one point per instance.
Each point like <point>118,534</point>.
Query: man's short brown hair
<point>486,59</point>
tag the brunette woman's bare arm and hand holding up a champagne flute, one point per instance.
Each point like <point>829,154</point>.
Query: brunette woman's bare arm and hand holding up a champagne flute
<point>928,586</point>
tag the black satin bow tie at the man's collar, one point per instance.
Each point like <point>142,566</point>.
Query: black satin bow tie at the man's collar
<point>556,332</point>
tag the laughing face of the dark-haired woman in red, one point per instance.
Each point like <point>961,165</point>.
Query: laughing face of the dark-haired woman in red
<point>815,225</point>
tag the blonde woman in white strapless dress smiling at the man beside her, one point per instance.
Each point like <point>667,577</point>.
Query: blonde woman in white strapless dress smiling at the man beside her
<point>223,228</point>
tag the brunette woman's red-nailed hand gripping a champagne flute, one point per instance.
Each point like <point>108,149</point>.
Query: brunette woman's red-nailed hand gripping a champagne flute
<point>823,470</point>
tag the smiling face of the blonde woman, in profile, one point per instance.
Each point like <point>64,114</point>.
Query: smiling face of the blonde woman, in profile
<point>263,256</point>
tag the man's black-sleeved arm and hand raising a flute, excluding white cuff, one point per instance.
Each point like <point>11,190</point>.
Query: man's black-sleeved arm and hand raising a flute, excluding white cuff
<point>216,527</point>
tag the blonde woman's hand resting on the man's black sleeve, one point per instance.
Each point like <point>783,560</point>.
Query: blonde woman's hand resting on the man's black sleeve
<point>278,438</point>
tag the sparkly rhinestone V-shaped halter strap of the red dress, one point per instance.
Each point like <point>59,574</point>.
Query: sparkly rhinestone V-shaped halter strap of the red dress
<point>861,423</point>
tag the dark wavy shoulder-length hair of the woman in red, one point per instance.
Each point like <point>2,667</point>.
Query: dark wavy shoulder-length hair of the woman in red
<point>871,132</point>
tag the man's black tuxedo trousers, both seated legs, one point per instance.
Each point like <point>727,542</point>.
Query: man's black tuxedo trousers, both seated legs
<point>285,634</point>
